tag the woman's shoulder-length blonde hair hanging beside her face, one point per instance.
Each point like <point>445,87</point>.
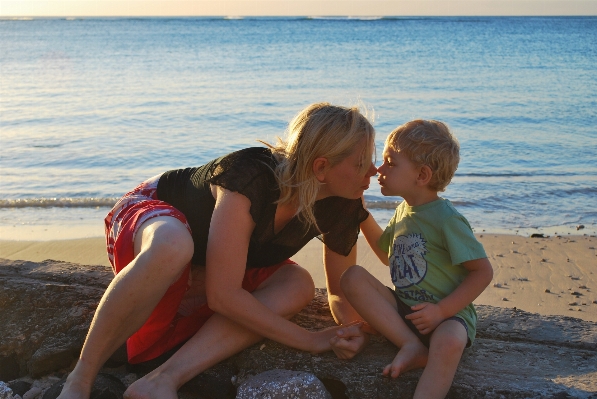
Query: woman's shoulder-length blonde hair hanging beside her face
<point>321,130</point>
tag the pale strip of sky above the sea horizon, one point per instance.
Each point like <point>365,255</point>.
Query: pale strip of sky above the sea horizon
<point>28,8</point>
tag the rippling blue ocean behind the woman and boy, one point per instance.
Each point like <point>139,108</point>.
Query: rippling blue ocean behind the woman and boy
<point>90,107</point>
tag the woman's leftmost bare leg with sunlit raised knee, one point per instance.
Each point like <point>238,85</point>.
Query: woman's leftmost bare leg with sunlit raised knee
<point>163,248</point>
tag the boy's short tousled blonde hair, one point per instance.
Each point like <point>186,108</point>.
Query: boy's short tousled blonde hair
<point>428,142</point>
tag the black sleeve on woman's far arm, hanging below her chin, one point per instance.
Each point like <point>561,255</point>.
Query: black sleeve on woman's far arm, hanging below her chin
<point>343,230</point>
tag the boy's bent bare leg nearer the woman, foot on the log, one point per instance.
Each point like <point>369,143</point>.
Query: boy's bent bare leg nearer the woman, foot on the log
<point>377,306</point>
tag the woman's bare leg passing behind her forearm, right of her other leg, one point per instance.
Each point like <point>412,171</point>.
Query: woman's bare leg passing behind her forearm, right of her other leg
<point>286,292</point>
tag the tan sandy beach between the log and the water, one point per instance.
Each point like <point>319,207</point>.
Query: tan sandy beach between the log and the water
<point>551,276</point>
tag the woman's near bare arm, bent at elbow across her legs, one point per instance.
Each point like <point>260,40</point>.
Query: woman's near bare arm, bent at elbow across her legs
<point>227,249</point>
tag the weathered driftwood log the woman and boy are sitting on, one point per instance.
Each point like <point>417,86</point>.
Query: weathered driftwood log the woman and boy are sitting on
<point>46,308</point>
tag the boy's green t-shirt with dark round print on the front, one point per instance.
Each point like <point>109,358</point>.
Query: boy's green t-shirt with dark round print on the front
<point>427,245</point>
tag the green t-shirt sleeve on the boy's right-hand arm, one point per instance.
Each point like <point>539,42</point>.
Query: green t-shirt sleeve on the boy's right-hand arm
<point>460,240</point>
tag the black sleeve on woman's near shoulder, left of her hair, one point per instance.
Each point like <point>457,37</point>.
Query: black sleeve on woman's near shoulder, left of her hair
<point>248,174</point>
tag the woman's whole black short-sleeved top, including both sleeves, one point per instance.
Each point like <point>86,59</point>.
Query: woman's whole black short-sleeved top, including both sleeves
<point>250,173</point>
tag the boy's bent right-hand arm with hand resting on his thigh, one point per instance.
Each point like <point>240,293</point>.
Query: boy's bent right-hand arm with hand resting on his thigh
<point>428,316</point>
